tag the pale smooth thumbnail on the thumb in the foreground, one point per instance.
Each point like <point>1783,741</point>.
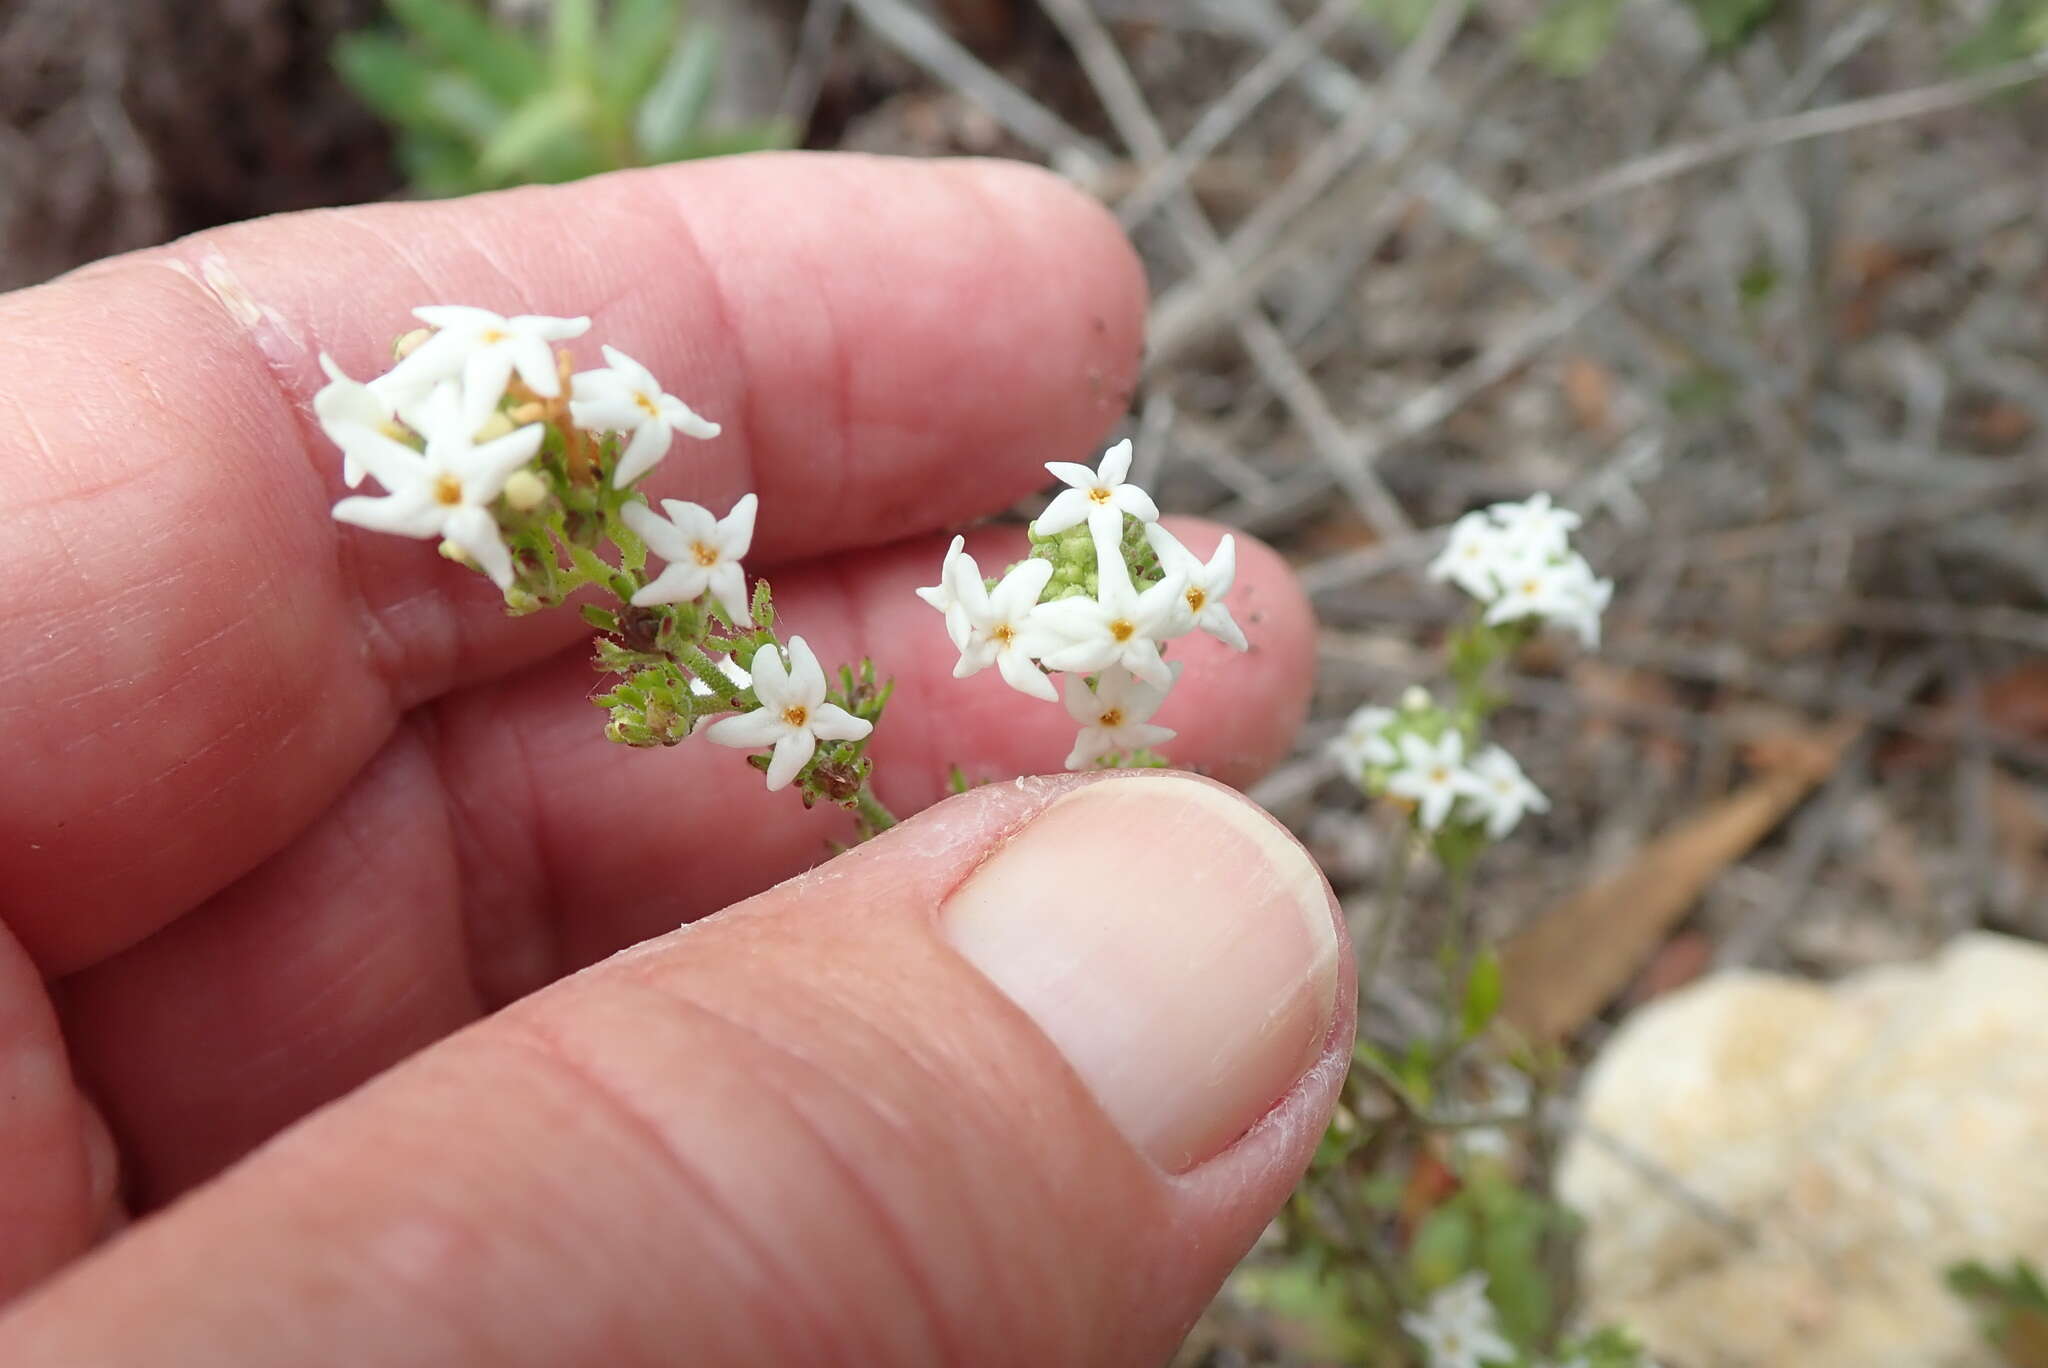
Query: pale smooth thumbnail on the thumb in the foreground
<point>1175,945</point>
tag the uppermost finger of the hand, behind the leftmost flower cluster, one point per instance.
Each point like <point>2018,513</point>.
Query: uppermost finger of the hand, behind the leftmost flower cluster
<point>198,658</point>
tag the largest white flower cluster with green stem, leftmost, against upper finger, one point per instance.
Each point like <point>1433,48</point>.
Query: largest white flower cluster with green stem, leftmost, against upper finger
<point>493,441</point>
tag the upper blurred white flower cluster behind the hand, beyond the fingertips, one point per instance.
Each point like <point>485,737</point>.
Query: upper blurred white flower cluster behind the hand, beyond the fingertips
<point>1519,562</point>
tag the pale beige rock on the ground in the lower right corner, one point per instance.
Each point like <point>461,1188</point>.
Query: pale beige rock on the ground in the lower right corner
<point>1859,1138</point>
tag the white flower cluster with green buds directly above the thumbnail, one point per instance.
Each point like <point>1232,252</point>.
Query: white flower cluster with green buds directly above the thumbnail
<point>1101,595</point>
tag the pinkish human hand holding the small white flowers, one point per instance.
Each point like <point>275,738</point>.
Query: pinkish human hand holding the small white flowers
<point>296,812</point>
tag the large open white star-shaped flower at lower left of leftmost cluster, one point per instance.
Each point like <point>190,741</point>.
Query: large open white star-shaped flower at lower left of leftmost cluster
<point>445,490</point>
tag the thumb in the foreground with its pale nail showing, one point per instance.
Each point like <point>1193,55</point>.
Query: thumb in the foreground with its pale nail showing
<point>1015,1084</point>
